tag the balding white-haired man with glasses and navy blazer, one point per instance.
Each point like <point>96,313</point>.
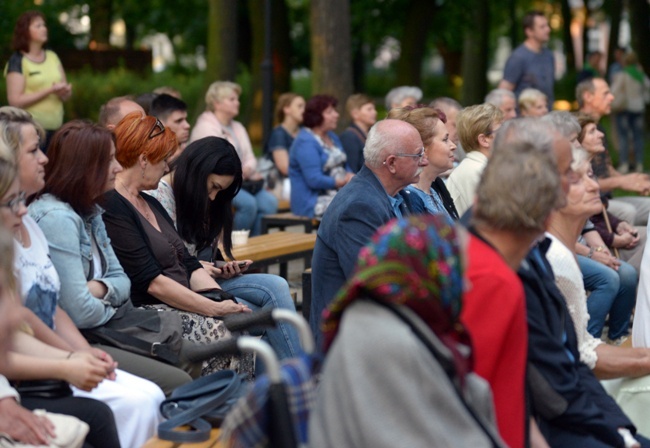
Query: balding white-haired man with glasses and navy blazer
<point>394,158</point>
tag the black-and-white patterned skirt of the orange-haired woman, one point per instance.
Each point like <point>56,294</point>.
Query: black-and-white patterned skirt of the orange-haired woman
<point>206,330</point>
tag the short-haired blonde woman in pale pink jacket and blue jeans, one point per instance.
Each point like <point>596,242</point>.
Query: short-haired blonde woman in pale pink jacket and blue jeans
<point>253,201</point>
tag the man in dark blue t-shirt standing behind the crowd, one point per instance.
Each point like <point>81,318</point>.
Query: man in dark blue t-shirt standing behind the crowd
<point>531,64</point>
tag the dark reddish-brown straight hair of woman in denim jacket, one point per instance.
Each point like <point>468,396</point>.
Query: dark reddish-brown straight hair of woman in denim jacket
<point>79,155</point>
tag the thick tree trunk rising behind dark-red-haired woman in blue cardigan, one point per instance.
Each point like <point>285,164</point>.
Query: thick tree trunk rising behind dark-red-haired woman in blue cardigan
<point>331,58</point>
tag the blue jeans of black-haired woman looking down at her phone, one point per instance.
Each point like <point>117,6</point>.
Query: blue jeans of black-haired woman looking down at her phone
<point>265,291</point>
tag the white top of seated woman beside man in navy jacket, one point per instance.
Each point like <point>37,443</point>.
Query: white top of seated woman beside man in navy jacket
<point>568,279</point>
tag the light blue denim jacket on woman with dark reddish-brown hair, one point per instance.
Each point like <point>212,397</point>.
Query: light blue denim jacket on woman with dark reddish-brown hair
<point>68,237</point>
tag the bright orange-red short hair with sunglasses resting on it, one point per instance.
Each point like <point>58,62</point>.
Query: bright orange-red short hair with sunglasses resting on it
<point>136,136</point>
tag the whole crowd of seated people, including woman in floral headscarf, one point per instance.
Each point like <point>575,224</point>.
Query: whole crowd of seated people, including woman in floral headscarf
<point>510,271</point>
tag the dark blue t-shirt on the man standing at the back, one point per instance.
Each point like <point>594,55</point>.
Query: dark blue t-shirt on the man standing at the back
<point>525,69</point>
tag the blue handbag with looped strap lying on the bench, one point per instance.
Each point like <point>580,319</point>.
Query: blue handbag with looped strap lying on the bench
<point>204,396</point>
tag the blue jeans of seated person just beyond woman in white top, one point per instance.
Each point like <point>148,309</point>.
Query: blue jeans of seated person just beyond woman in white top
<point>612,292</point>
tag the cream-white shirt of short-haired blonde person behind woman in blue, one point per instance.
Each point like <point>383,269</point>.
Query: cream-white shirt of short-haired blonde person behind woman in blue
<point>464,179</point>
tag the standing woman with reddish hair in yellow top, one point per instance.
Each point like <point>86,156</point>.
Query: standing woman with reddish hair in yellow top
<point>36,80</point>
